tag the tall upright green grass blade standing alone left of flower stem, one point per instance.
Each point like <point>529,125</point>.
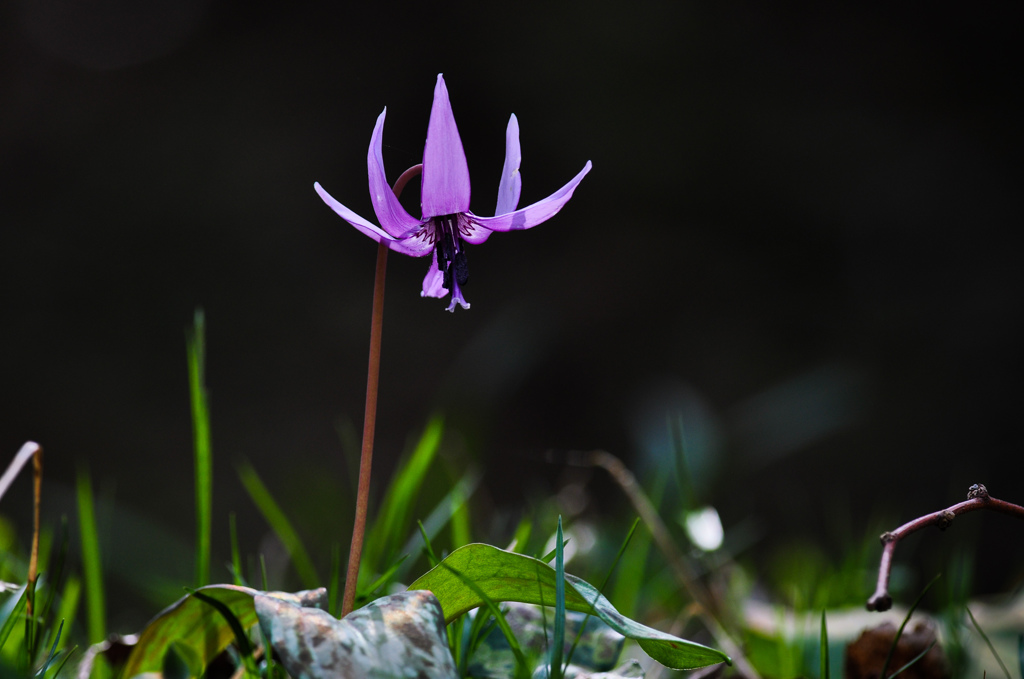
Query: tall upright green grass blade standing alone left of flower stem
<point>196,350</point>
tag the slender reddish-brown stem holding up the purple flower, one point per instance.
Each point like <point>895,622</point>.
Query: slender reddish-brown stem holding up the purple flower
<point>370,418</point>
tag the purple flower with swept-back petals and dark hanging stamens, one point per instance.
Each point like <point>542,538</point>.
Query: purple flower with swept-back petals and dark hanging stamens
<point>447,225</point>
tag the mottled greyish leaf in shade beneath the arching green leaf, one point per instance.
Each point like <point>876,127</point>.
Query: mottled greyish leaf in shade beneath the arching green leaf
<point>599,650</point>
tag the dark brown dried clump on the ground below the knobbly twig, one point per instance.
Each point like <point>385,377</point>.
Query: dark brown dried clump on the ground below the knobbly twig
<point>867,656</point>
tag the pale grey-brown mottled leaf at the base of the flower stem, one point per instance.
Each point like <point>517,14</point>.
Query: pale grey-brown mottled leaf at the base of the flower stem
<point>395,638</point>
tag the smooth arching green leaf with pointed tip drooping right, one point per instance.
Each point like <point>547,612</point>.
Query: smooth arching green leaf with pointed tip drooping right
<point>507,577</point>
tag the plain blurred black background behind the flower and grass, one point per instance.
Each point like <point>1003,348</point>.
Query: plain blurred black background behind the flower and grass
<point>797,238</point>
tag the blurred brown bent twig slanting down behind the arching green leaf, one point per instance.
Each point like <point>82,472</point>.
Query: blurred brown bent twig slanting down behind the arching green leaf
<point>680,566</point>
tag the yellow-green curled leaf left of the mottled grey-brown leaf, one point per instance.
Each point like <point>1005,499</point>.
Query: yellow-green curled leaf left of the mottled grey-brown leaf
<point>197,628</point>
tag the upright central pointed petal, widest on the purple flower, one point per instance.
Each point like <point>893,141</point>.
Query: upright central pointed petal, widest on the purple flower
<point>445,188</point>
